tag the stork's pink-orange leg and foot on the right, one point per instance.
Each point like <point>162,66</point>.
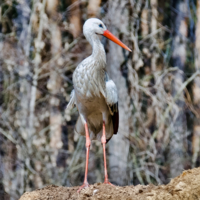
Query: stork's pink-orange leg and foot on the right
<point>103,141</point>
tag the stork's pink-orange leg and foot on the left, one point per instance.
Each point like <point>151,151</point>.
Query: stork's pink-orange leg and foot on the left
<point>87,144</point>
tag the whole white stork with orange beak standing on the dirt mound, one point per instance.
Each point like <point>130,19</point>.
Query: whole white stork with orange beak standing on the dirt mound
<point>95,94</point>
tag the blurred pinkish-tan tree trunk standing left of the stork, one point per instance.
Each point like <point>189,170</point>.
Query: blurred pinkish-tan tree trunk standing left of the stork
<point>54,83</point>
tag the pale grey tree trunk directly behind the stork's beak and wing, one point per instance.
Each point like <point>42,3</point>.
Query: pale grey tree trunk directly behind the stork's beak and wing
<point>119,145</point>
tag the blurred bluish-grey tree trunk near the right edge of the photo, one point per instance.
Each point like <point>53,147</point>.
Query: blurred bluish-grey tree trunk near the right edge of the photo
<point>178,124</point>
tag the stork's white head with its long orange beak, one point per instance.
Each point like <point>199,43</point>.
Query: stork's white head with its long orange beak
<point>96,26</point>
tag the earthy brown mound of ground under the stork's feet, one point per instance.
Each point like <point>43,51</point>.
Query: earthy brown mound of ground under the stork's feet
<point>185,186</point>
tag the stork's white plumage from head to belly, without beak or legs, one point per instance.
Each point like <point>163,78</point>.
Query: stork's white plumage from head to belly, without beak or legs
<point>94,93</point>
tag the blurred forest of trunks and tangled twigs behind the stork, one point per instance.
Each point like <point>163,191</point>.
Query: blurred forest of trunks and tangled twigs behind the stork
<point>41,43</point>
